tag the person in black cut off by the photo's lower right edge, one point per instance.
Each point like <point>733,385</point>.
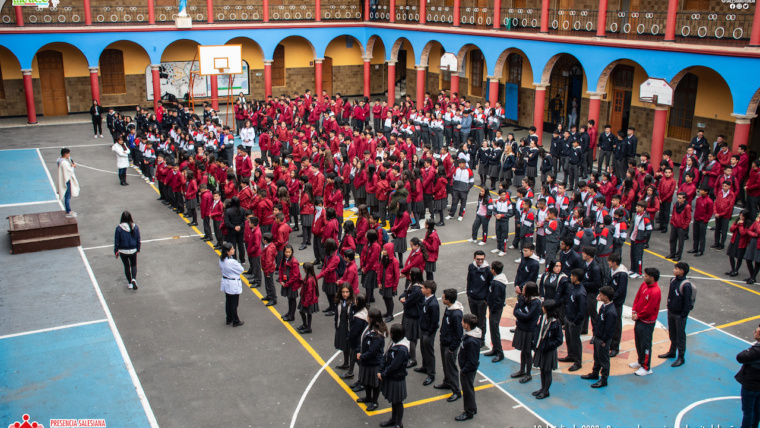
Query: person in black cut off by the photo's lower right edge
<point>749,377</point>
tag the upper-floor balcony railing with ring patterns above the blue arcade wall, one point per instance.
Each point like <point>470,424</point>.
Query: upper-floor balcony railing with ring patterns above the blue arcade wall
<point>729,29</point>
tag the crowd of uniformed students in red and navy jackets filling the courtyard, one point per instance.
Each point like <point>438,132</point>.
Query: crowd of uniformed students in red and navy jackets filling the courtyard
<point>396,164</point>
